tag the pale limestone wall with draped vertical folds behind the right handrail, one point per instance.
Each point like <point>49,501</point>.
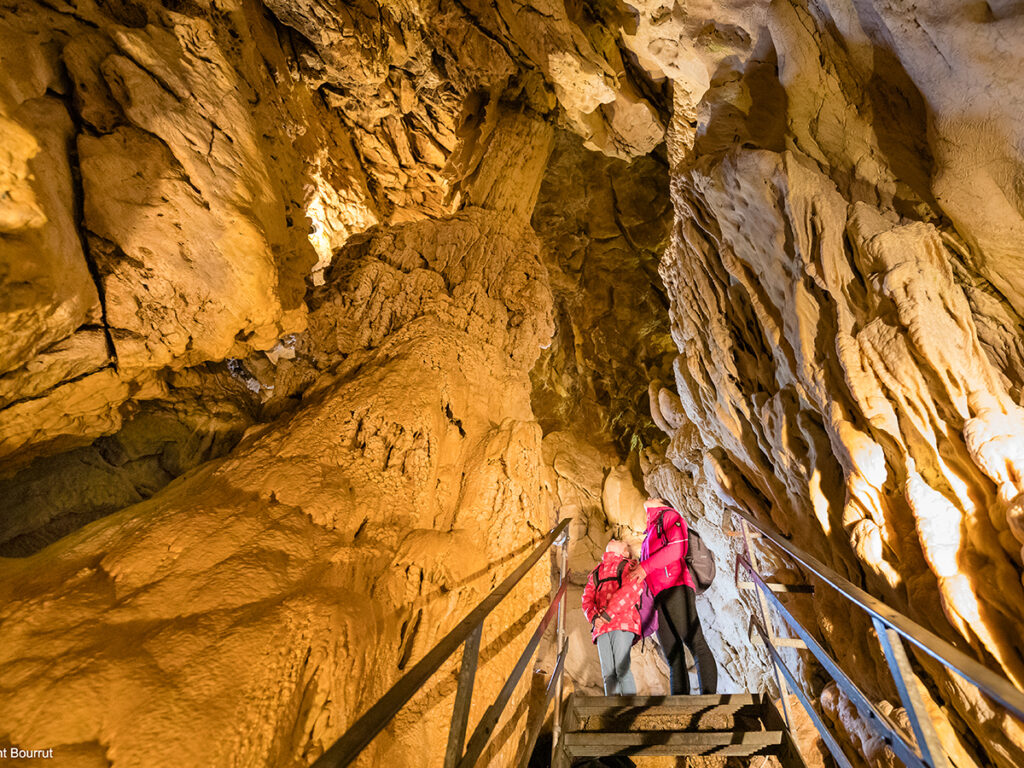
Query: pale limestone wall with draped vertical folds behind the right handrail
<point>849,358</point>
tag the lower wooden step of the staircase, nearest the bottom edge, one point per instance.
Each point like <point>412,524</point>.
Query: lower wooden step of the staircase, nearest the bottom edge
<point>718,744</point>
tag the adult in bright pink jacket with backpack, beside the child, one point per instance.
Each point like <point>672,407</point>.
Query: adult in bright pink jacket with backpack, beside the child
<point>670,581</point>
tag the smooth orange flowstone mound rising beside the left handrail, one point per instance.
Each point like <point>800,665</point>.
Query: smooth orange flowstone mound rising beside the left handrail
<point>281,591</point>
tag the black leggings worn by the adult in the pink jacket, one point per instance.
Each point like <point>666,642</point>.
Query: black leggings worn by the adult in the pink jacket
<point>679,625</point>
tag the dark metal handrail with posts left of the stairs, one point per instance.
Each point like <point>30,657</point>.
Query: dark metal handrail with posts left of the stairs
<point>374,720</point>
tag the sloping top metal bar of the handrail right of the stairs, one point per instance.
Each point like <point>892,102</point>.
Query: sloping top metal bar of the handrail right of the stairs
<point>992,684</point>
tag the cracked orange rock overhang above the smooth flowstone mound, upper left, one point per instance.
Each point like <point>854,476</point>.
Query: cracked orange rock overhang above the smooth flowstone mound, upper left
<point>177,176</point>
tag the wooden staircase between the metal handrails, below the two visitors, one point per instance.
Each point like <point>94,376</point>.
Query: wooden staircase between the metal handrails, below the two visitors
<point>735,731</point>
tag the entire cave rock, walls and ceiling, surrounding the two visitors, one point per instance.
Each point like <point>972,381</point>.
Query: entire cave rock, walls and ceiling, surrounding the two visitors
<point>301,298</point>
